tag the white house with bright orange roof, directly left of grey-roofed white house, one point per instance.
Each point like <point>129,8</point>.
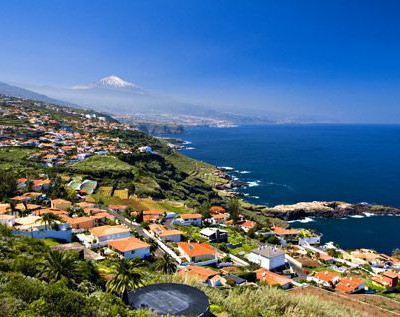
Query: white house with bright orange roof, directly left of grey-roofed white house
<point>197,252</point>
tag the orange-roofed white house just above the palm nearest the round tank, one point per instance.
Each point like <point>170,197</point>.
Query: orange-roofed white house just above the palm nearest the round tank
<point>130,248</point>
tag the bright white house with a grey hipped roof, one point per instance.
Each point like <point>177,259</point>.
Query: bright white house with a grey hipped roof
<point>269,257</point>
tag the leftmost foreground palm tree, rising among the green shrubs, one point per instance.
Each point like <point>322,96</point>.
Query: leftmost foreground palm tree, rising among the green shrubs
<point>58,265</point>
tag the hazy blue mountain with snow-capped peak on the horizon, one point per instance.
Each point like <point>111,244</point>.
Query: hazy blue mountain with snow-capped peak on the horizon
<point>116,96</point>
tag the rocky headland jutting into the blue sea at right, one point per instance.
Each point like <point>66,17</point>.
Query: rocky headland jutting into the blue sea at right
<point>332,209</point>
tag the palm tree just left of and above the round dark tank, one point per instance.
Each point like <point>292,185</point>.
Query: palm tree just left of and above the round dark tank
<point>126,277</point>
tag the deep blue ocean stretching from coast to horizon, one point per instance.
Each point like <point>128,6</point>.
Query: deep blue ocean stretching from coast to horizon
<point>285,164</point>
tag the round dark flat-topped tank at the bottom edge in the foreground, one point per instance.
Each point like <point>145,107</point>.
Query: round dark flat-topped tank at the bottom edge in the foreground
<point>170,299</point>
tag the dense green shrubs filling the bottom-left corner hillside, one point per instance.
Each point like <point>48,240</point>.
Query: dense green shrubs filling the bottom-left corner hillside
<point>35,281</point>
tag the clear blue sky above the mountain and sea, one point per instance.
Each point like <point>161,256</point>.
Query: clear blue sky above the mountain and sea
<point>336,59</point>
